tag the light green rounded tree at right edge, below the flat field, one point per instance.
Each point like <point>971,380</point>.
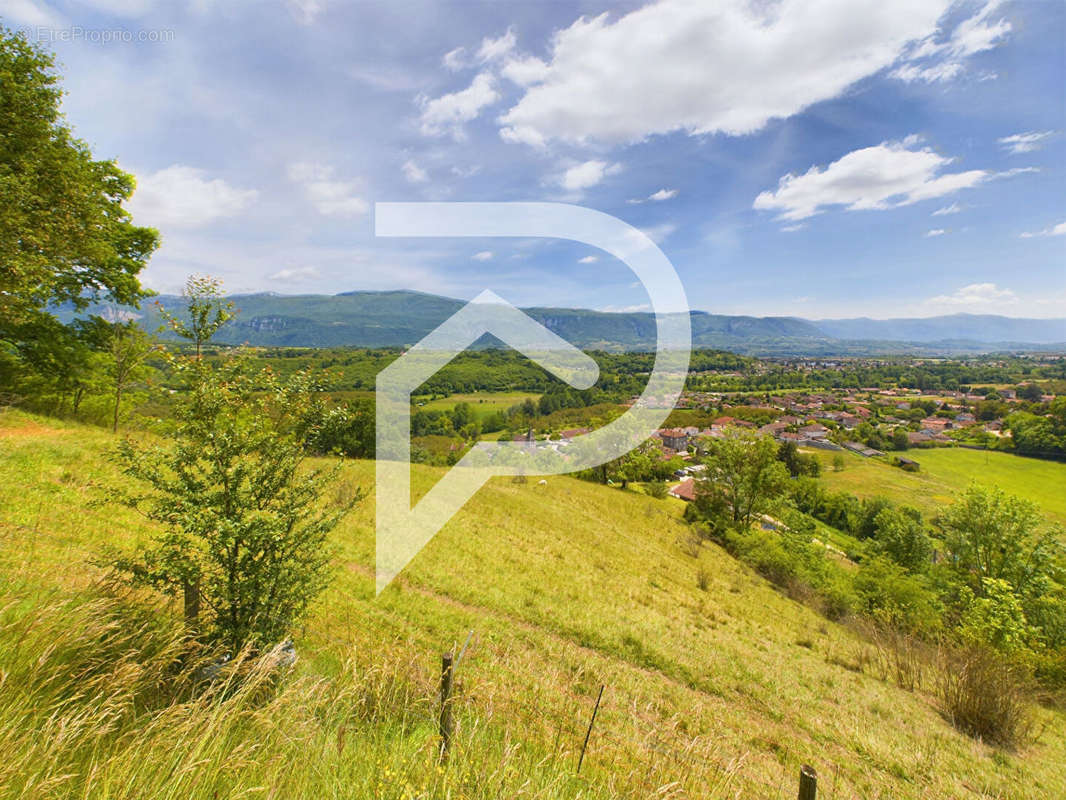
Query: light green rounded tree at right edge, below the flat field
<point>992,535</point>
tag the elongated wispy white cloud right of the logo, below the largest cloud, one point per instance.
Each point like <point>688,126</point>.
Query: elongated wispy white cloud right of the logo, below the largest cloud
<point>887,175</point>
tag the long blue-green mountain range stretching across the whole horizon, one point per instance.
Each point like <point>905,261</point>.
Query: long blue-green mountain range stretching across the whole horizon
<point>402,318</point>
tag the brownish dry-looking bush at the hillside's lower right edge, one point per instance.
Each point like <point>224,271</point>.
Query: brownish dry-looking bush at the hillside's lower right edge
<point>987,696</point>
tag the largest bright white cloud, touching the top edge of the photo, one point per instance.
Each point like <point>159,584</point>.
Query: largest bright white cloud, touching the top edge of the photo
<point>705,68</point>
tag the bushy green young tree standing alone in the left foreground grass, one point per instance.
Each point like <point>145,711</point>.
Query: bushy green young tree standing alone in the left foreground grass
<point>243,525</point>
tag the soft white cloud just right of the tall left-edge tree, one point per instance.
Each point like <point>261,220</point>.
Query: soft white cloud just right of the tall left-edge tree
<point>185,198</point>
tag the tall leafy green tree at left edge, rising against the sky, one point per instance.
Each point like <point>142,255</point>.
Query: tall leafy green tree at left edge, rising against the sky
<point>64,235</point>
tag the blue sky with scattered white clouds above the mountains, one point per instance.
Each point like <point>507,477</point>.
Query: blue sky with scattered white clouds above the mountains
<point>810,158</point>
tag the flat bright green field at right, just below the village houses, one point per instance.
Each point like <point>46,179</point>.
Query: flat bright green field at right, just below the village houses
<point>946,472</point>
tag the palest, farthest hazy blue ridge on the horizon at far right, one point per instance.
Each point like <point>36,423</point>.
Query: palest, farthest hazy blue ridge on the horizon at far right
<point>982,328</point>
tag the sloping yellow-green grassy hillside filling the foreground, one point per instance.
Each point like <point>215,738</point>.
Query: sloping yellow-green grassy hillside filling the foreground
<point>568,587</point>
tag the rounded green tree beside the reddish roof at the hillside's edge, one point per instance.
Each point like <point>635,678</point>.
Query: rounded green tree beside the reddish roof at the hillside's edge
<point>745,473</point>
